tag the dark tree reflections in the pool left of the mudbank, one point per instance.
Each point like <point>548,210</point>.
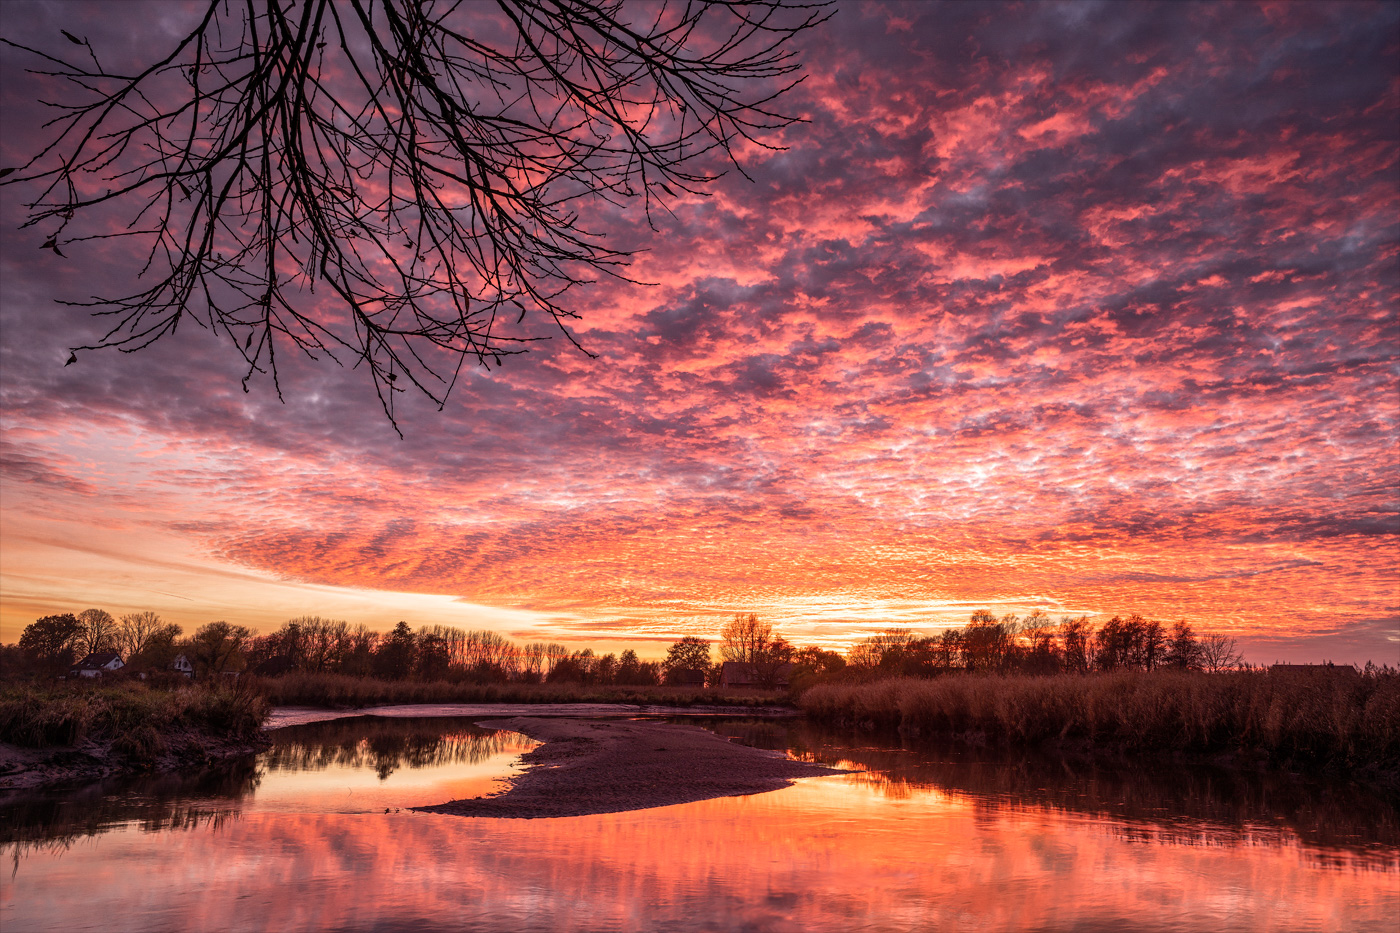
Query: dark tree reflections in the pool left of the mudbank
<point>384,745</point>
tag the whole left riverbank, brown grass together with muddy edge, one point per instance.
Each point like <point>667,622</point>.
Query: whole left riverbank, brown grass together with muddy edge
<point>76,733</point>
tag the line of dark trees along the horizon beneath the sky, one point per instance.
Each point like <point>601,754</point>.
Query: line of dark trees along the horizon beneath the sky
<point>1034,644</point>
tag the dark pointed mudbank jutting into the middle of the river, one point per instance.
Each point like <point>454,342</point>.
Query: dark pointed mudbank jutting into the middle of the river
<point>593,767</point>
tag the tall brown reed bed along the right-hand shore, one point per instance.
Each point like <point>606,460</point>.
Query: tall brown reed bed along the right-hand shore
<point>1333,721</point>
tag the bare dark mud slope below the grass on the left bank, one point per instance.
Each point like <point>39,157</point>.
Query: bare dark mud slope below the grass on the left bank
<point>90,761</point>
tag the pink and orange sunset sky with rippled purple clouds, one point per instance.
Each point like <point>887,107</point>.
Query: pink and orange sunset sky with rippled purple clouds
<point>1084,307</point>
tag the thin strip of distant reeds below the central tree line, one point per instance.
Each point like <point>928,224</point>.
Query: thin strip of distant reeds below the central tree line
<point>342,691</point>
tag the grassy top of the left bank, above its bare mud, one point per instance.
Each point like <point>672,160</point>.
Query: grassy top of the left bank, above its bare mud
<point>132,726</point>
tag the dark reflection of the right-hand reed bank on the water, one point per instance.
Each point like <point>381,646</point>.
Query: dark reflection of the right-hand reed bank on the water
<point>1168,801</point>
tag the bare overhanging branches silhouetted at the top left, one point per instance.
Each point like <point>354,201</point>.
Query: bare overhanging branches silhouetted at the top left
<point>425,163</point>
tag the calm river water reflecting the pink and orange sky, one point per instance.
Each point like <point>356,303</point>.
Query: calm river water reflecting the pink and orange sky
<point>922,838</point>
